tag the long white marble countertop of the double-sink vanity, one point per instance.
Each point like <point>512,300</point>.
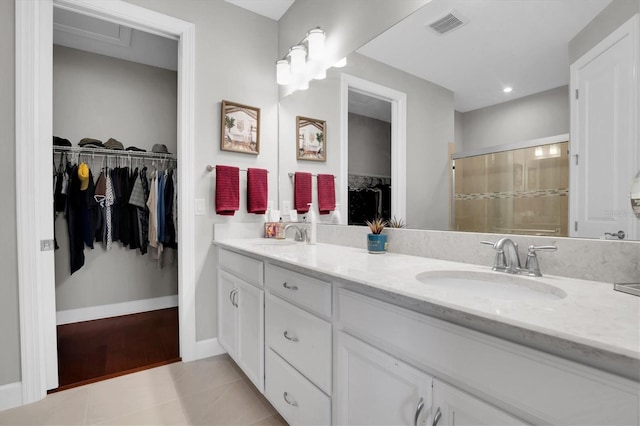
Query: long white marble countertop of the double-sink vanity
<point>593,324</point>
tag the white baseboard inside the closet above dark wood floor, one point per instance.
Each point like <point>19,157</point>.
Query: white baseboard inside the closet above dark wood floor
<point>115,309</point>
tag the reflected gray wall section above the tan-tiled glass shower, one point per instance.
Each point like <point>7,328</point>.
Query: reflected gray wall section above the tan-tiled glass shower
<point>532,117</point>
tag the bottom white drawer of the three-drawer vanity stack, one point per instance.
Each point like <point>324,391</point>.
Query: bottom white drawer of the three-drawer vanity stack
<point>295,398</point>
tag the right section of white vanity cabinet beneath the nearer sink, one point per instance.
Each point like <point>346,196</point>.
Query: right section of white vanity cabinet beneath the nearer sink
<point>501,382</point>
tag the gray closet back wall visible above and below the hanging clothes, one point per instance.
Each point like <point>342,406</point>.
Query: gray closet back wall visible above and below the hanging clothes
<point>101,97</point>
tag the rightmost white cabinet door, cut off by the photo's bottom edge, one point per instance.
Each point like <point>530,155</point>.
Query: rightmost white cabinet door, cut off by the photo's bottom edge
<point>451,406</point>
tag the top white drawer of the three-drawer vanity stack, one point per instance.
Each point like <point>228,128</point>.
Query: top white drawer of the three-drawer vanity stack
<point>310,293</point>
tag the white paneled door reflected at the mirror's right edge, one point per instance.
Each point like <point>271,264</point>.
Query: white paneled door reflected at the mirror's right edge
<point>604,137</point>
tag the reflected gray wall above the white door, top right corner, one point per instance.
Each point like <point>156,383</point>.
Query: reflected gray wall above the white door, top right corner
<point>614,15</point>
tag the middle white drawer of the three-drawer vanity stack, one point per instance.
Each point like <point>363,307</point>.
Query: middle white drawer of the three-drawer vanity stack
<point>301,338</point>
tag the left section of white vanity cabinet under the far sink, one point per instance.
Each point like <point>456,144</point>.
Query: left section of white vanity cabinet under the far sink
<point>241,313</point>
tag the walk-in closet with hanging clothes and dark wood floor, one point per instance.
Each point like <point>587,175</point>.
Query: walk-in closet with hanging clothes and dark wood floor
<point>115,120</point>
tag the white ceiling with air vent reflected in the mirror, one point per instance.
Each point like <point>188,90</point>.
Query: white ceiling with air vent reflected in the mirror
<point>517,43</point>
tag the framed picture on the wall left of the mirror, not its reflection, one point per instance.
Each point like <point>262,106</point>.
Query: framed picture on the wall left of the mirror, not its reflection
<point>240,128</point>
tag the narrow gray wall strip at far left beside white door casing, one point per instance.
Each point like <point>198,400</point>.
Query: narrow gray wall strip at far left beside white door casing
<point>9,317</point>
